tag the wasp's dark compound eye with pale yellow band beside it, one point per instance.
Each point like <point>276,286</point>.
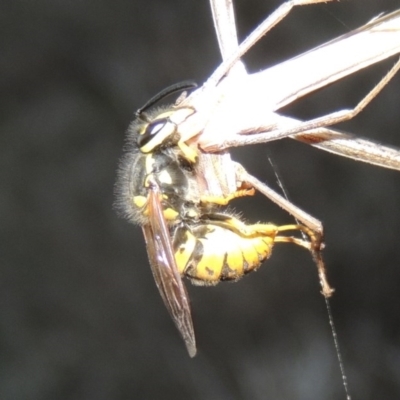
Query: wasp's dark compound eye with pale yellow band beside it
<point>155,134</point>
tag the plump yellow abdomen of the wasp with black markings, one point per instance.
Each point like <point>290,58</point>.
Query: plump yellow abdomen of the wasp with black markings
<point>207,253</point>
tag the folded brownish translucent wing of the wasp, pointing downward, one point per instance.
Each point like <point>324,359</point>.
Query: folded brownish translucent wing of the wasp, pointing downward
<point>165,271</point>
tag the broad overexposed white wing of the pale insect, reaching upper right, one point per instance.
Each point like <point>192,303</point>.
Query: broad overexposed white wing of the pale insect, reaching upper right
<point>325,64</point>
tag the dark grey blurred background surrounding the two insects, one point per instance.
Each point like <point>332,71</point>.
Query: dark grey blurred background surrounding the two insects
<point>81,317</point>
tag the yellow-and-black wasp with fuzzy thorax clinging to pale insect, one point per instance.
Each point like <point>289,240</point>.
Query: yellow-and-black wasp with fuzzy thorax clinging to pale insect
<point>178,194</point>
